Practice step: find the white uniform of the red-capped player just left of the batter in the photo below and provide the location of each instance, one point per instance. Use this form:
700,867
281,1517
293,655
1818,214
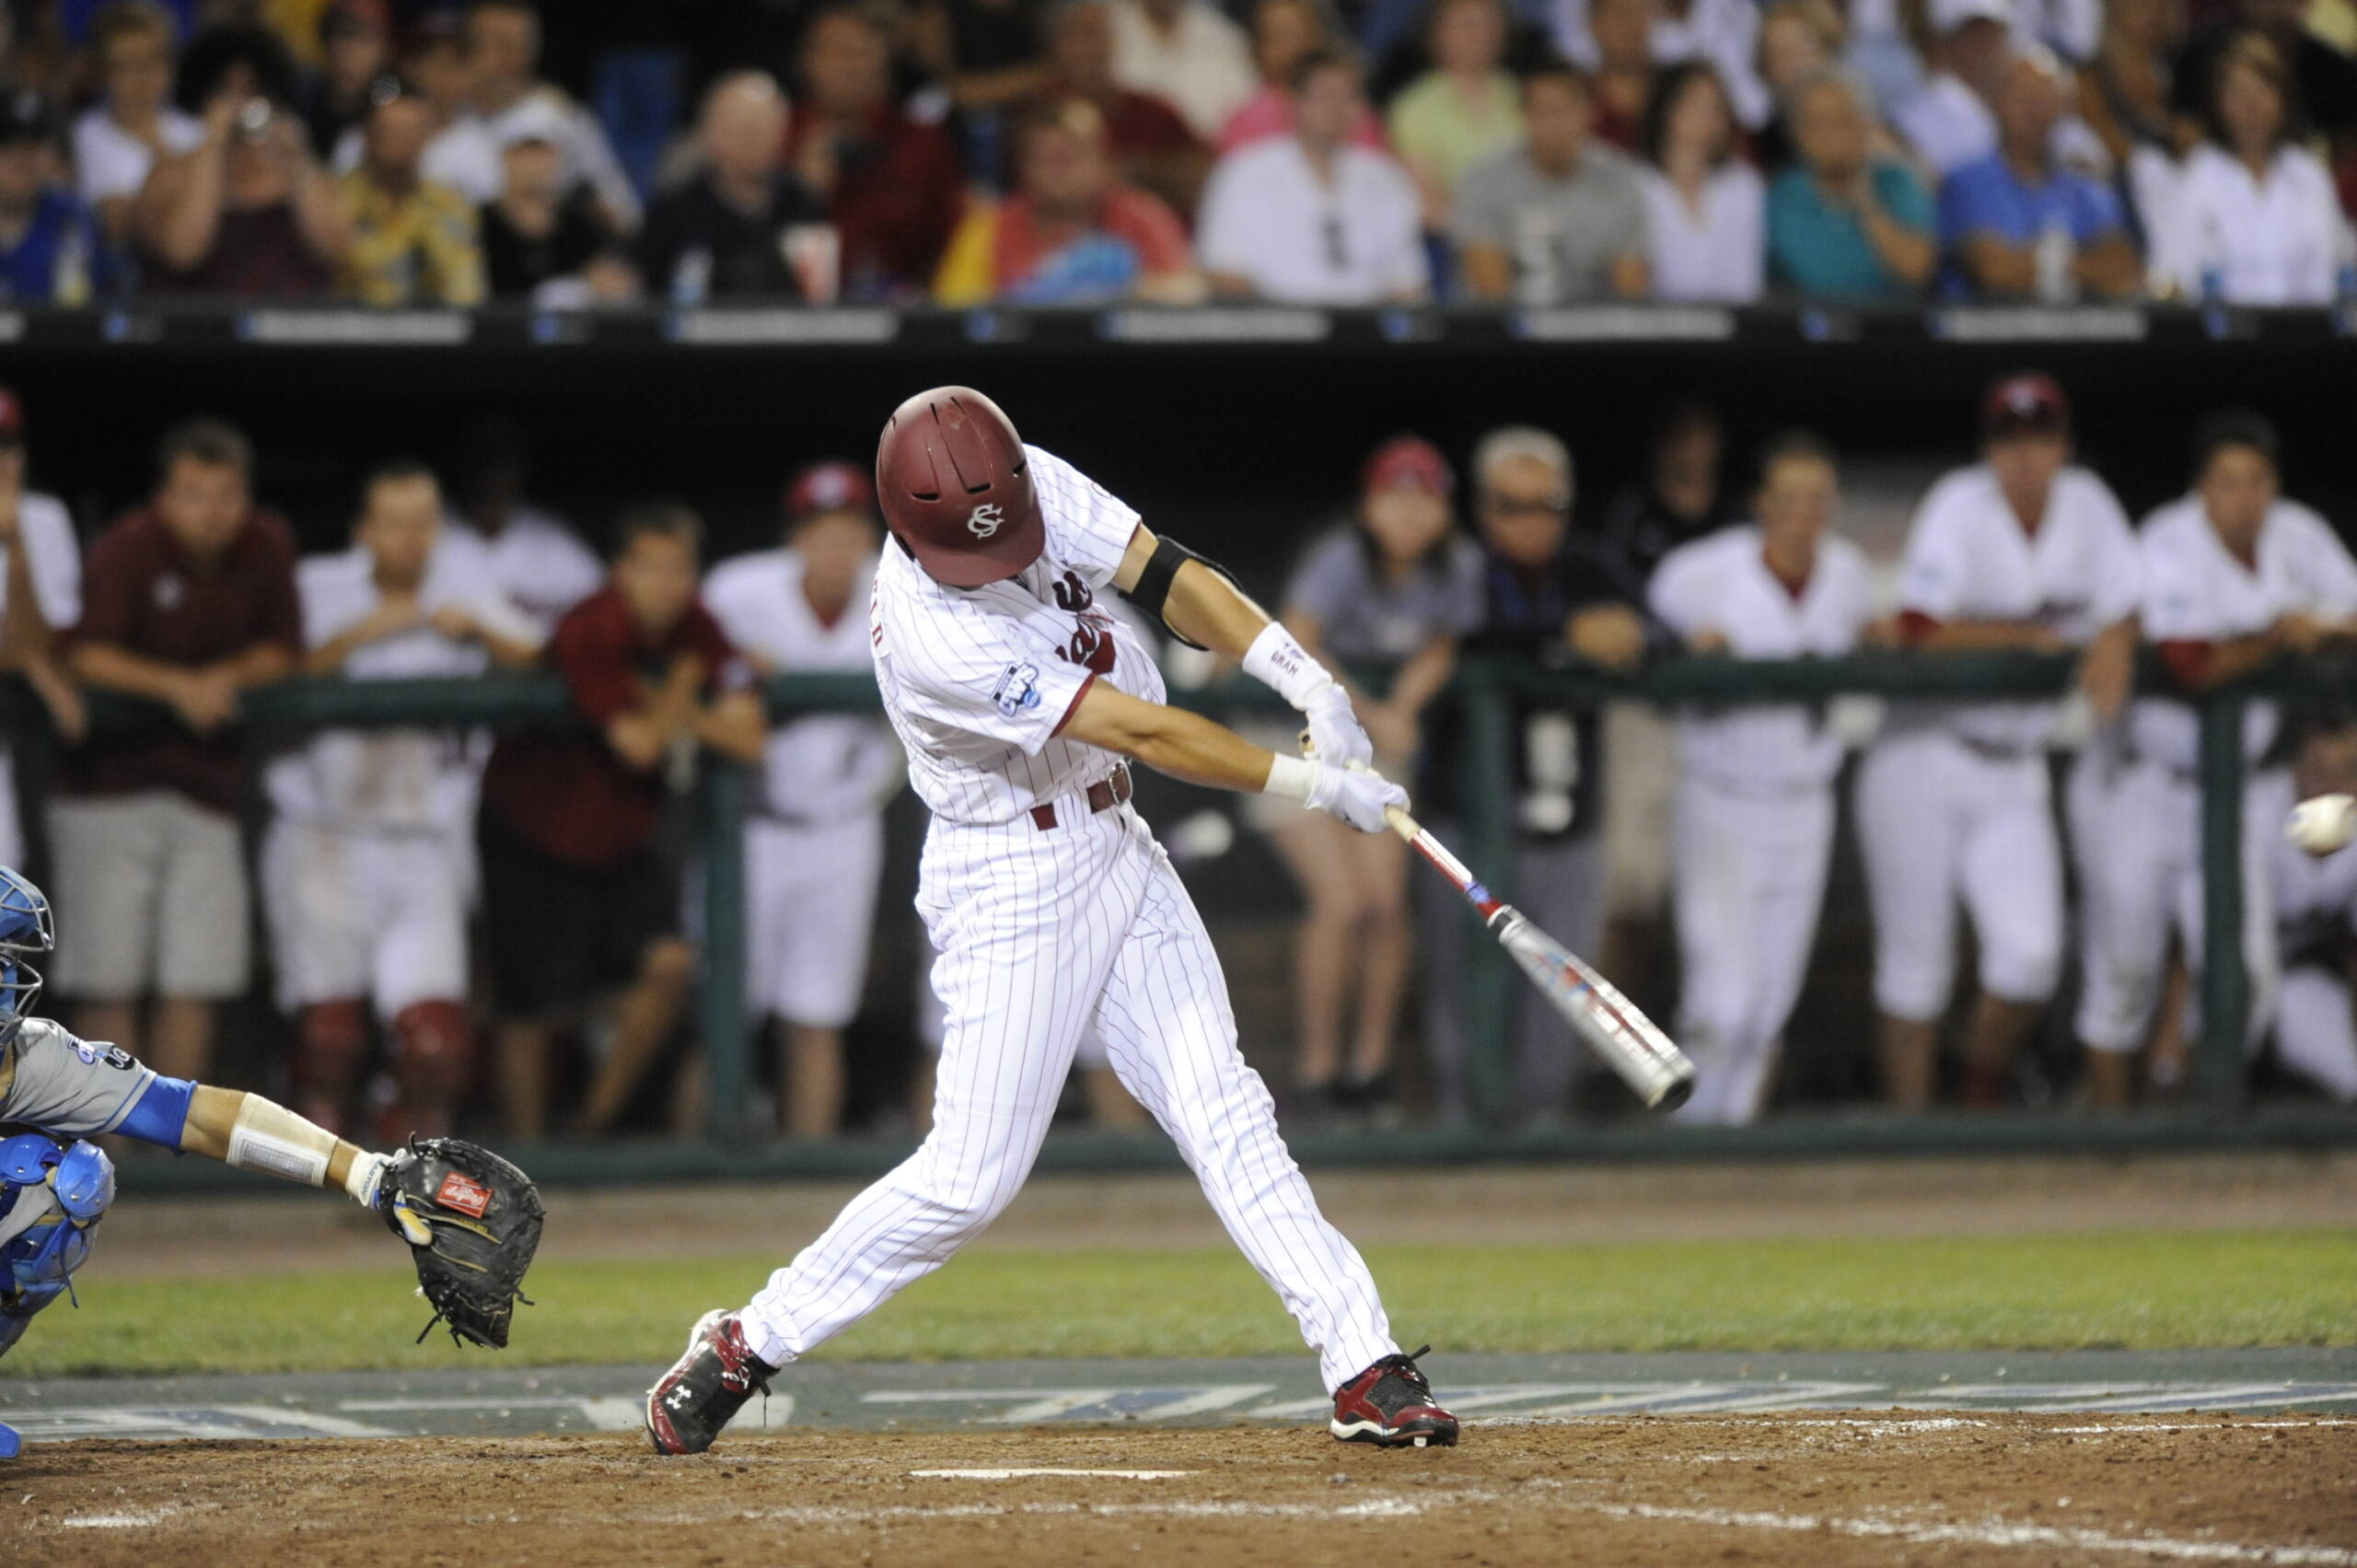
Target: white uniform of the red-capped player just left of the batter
814,845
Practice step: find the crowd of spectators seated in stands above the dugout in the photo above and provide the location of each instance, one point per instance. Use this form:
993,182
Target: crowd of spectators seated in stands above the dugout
1081,152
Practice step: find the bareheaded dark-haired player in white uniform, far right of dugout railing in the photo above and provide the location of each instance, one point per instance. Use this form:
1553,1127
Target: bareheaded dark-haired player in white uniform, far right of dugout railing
2233,579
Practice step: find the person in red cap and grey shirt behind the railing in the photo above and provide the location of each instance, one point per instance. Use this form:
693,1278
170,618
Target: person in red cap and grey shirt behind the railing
1394,588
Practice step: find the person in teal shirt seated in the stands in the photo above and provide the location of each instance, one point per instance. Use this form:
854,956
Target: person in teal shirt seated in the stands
1847,223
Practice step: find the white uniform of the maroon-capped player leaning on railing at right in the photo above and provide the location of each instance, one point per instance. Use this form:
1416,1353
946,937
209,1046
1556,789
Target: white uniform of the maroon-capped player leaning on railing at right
1953,801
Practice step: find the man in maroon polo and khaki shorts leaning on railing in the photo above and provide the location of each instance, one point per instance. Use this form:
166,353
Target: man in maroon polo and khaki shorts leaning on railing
185,602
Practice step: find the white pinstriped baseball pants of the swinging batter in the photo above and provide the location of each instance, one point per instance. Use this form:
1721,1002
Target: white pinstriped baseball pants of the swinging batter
1043,935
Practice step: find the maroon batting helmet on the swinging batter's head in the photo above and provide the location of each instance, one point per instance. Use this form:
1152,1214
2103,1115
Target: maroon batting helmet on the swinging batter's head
958,492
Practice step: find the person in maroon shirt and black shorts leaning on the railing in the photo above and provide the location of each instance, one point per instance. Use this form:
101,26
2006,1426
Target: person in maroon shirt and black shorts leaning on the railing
574,888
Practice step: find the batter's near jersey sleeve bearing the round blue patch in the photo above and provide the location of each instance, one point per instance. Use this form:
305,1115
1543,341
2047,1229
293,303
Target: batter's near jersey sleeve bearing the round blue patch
965,673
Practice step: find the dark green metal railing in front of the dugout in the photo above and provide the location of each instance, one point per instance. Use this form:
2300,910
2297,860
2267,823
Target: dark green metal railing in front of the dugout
1488,692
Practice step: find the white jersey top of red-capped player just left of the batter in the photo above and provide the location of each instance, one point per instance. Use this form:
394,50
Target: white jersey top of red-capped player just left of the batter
821,767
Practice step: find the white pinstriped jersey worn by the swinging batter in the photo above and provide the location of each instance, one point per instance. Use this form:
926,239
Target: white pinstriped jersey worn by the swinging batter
979,680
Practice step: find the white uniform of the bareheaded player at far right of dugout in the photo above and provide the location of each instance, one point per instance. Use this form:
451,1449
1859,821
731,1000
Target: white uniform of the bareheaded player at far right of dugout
2198,591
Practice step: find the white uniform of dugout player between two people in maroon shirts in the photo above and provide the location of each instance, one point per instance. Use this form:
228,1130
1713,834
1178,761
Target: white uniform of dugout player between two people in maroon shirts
364,890
